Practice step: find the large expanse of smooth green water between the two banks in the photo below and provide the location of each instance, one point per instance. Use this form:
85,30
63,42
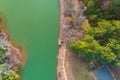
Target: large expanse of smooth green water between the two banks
35,24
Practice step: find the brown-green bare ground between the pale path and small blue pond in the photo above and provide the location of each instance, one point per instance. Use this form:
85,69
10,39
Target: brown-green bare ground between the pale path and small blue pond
77,68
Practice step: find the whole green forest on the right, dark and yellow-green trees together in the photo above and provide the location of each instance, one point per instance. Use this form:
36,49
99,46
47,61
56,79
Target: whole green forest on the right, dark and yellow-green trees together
101,40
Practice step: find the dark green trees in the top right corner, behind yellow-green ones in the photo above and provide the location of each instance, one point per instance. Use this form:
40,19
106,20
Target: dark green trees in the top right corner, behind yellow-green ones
102,9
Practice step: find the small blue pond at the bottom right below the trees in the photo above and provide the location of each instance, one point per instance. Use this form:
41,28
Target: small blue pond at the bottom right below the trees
103,74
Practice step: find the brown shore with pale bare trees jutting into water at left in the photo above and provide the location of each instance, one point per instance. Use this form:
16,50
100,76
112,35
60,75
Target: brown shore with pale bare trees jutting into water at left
10,58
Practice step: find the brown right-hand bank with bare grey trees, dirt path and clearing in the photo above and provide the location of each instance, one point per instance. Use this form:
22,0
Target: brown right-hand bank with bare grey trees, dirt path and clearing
69,31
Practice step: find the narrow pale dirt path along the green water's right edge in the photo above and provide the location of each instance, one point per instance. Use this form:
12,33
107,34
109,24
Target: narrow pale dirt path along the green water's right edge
61,71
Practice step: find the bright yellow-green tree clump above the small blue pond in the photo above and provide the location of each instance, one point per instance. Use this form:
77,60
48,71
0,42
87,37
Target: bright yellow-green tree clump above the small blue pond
100,42
